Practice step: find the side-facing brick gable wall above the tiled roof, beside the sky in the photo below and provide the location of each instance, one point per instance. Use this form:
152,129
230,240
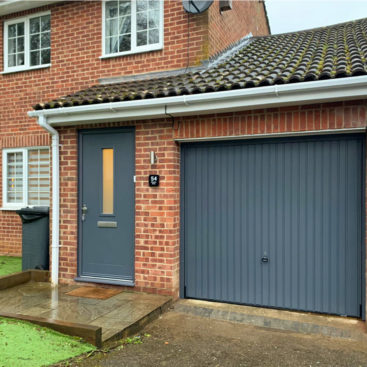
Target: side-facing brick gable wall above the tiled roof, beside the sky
230,26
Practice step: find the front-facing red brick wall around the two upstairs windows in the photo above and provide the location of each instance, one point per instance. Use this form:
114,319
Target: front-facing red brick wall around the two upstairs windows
76,39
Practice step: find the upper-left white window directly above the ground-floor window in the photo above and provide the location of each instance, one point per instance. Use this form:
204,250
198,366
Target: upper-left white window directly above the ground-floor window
27,42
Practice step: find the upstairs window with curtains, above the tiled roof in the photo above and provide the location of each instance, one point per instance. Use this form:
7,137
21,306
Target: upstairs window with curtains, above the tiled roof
132,26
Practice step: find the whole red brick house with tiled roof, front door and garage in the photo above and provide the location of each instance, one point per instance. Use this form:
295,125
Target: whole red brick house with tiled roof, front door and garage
229,170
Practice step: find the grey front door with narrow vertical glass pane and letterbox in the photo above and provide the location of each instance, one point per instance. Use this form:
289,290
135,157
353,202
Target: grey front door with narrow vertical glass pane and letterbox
106,206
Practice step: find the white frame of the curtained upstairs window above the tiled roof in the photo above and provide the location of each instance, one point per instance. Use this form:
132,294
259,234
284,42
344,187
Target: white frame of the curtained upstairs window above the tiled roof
134,49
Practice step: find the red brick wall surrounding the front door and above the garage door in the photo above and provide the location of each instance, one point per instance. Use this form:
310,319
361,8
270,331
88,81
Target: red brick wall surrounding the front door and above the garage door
157,209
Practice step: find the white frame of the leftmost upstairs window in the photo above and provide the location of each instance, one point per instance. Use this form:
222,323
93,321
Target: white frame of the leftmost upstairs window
26,66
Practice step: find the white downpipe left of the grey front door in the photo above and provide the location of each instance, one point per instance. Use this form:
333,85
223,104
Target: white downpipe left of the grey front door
55,246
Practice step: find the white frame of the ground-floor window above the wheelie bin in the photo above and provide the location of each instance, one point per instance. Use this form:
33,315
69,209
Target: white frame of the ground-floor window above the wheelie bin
24,151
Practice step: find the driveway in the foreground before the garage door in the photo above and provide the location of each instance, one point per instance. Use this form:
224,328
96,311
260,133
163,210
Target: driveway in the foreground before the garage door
182,340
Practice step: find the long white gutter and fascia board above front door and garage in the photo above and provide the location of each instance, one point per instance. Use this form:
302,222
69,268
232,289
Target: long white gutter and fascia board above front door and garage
208,103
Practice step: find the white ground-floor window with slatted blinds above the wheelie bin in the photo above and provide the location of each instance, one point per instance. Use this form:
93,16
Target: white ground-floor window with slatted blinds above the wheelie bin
26,177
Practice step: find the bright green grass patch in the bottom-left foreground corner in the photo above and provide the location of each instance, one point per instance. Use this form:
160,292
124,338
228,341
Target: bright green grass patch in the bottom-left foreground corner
26,345
